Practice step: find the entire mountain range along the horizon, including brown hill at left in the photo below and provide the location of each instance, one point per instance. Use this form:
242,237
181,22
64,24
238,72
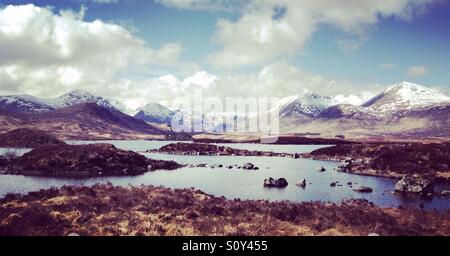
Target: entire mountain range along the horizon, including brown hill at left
404,109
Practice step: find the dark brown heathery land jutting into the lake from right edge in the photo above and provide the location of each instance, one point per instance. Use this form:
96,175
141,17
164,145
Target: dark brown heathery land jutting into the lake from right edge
390,160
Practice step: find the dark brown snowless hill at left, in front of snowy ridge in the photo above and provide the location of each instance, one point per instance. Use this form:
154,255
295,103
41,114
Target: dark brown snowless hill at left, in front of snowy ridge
83,121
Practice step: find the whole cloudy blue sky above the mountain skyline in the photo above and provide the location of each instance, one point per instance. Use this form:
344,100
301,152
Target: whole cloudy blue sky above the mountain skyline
142,51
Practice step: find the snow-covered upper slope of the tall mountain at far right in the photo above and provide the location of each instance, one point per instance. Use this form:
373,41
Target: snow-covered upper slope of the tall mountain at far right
405,96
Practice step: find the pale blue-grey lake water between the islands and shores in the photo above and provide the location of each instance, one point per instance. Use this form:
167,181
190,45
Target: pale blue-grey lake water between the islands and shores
243,184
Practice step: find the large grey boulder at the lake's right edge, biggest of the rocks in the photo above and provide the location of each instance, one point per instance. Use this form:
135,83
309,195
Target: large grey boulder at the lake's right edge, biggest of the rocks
415,184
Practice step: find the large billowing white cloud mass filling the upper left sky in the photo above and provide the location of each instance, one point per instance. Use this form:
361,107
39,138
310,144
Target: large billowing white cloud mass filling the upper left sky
46,53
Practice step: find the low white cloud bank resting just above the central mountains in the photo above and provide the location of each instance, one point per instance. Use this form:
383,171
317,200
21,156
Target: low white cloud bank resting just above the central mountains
279,79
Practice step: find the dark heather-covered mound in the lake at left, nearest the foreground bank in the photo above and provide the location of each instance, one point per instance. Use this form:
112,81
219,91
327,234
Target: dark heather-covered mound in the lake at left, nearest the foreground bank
81,161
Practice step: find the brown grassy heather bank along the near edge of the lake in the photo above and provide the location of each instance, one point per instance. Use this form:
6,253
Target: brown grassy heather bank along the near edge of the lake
155,211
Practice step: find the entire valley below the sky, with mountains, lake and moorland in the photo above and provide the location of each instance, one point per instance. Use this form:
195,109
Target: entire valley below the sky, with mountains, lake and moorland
385,159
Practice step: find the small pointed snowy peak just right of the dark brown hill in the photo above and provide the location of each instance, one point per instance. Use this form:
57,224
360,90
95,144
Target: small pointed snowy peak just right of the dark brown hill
156,113
